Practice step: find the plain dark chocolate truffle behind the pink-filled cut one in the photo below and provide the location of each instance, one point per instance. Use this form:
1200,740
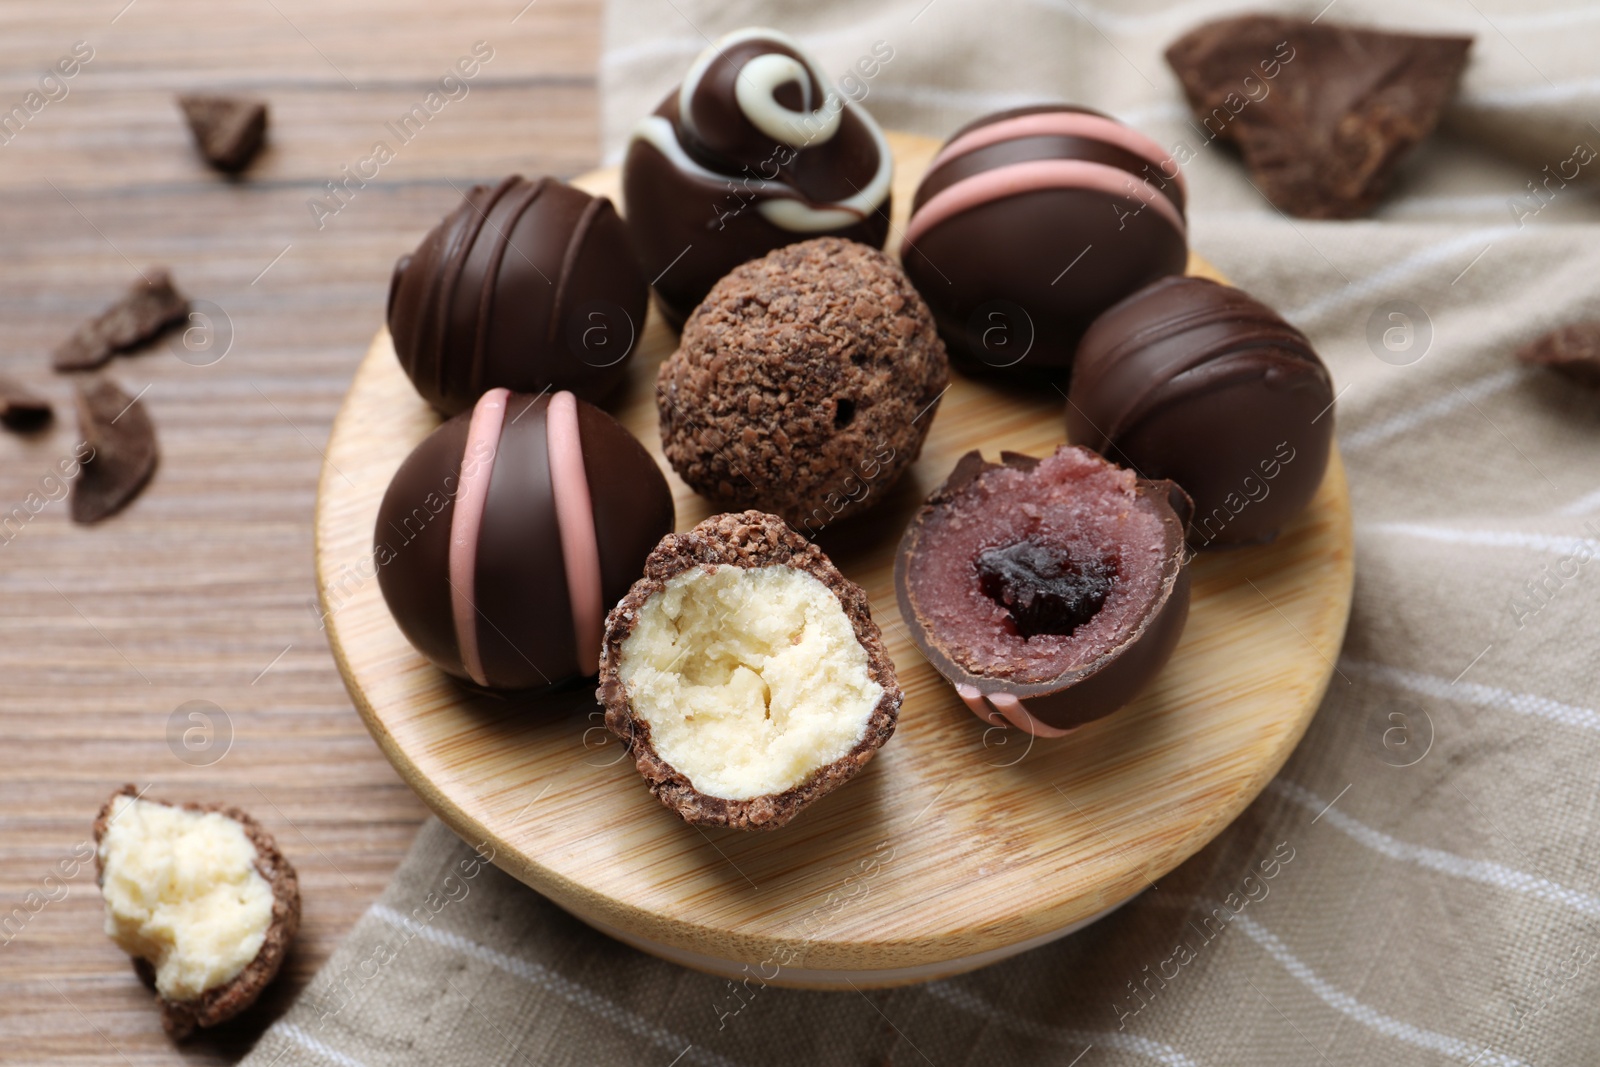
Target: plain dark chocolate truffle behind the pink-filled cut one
1199,383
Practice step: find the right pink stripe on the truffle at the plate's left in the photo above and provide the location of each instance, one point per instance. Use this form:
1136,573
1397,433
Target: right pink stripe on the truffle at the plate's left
577,524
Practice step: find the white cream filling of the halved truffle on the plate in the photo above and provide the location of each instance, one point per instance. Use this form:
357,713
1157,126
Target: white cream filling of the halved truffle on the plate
750,679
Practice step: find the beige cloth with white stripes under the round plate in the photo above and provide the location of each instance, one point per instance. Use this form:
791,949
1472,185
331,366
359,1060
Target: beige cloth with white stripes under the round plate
1434,845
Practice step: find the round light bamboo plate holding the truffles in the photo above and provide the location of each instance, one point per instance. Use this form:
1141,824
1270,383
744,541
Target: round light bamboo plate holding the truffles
959,845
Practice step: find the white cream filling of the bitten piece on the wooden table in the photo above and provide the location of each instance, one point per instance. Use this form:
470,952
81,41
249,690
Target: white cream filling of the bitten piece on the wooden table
183,892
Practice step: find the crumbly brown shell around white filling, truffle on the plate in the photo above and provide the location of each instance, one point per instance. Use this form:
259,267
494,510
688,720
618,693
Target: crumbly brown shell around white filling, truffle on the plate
750,540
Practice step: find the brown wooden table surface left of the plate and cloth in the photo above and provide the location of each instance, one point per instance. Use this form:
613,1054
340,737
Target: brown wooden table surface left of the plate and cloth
202,589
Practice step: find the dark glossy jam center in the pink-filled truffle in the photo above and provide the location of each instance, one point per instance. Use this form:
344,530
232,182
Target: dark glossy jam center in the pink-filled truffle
1044,589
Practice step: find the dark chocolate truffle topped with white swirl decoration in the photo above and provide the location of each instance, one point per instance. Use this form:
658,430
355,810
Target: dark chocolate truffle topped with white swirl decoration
753,151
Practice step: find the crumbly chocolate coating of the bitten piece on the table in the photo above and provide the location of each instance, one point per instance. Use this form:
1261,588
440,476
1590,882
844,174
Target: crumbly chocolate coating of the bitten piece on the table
180,1018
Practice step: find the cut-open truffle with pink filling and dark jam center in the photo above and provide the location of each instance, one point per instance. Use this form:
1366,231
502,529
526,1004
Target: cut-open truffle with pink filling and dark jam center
1054,589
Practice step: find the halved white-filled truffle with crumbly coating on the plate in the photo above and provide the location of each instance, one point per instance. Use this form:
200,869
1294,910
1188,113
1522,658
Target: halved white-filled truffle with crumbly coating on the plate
746,674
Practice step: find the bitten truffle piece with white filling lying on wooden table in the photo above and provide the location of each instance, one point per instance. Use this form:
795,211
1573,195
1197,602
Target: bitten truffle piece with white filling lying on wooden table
201,898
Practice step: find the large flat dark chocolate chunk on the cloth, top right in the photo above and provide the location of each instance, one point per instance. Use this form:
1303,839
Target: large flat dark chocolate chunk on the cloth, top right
1321,113
